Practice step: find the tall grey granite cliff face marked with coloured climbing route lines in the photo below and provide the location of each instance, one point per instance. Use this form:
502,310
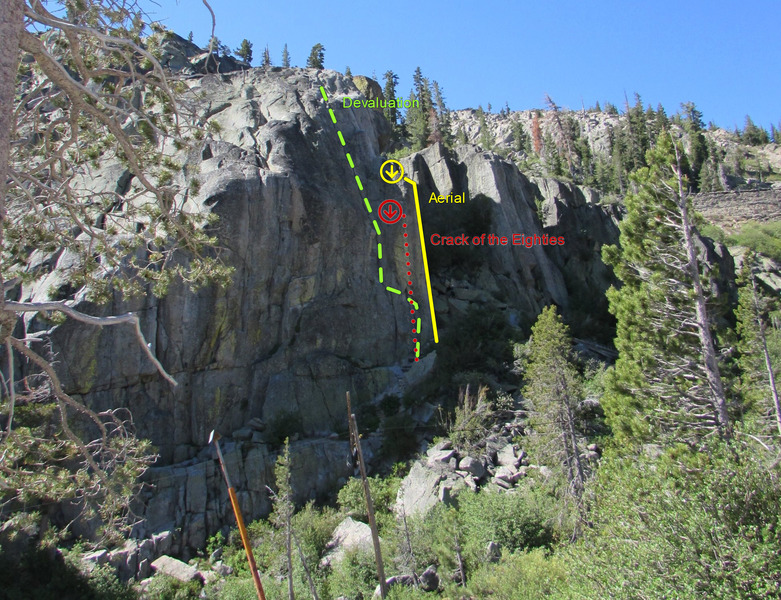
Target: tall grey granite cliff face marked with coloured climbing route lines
306,318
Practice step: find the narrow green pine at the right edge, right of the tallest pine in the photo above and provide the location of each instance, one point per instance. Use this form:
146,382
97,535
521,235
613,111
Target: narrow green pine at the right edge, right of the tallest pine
758,362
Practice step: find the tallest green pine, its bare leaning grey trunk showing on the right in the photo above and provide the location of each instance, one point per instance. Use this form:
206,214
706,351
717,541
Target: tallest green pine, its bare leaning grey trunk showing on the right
666,381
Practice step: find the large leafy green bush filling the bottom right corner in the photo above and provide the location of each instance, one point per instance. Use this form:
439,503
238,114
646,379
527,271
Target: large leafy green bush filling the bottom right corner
687,525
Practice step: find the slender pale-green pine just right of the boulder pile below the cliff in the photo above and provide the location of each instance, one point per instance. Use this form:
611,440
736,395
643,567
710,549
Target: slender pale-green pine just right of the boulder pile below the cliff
554,388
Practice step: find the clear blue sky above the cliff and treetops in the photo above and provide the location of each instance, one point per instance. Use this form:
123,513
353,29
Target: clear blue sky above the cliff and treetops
723,55
